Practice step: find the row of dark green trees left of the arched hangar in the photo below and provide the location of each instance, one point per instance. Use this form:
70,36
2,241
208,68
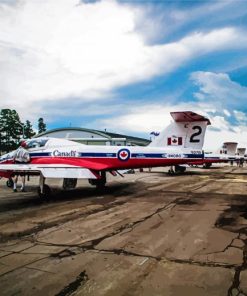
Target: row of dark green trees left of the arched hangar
12,130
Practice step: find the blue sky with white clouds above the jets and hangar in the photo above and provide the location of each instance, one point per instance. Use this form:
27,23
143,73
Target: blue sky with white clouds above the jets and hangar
124,65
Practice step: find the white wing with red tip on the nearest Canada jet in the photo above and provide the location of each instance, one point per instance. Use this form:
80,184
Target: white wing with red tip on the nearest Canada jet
49,170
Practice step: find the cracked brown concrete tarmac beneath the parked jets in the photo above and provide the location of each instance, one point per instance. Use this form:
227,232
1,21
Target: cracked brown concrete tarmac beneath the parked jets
147,234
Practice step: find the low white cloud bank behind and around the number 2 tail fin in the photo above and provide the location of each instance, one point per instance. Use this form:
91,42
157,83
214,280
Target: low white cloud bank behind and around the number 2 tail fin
213,90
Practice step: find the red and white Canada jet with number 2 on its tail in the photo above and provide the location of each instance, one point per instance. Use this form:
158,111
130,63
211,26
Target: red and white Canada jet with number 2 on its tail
61,158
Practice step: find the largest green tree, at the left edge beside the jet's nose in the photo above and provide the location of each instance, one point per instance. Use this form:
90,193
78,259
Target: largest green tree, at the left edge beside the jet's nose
11,130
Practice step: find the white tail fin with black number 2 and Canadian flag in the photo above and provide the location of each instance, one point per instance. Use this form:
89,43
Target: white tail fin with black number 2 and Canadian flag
187,131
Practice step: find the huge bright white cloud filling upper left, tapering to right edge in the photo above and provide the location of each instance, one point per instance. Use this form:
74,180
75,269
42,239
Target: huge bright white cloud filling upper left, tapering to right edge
51,50
